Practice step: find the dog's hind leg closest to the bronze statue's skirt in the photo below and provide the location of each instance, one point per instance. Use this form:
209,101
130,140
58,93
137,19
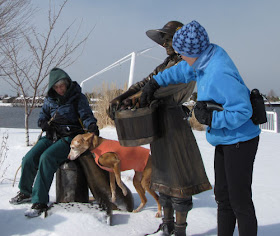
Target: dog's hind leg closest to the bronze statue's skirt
146,182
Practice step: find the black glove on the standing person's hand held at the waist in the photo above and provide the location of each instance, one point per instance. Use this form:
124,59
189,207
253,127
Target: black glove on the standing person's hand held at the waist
202,114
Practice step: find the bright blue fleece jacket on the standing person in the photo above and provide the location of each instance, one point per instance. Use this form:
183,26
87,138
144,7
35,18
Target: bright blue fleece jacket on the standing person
218,80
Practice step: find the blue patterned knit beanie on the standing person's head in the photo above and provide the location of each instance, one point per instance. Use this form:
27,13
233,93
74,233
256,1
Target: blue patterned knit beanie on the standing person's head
191,40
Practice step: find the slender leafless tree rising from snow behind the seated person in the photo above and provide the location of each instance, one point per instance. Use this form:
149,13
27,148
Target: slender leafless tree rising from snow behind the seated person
31,59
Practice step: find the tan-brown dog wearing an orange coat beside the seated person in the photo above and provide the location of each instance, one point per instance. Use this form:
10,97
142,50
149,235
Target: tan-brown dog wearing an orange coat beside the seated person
115,163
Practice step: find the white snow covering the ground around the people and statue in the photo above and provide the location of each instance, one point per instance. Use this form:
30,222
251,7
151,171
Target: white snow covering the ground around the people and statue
201,219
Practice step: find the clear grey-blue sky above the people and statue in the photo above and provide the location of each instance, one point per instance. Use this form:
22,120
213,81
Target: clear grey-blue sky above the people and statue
248,30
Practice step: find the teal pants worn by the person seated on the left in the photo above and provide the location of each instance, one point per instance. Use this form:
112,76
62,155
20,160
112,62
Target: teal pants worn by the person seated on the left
41,162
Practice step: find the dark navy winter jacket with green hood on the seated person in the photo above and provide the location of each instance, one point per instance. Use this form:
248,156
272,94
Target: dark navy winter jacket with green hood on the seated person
66,109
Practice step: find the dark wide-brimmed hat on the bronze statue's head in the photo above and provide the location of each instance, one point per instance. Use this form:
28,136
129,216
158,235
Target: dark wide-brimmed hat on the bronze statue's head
157,34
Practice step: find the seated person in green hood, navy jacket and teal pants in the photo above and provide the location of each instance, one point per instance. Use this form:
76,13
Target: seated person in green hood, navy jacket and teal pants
64,112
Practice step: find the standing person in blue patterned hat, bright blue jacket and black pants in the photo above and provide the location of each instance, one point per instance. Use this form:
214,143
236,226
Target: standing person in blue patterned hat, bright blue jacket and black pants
231,131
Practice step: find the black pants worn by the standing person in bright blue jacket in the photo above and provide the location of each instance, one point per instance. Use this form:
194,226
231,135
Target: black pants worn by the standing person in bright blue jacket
233,192
